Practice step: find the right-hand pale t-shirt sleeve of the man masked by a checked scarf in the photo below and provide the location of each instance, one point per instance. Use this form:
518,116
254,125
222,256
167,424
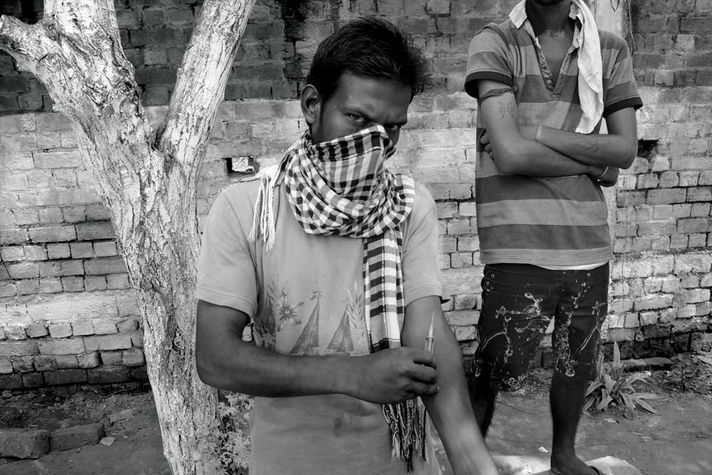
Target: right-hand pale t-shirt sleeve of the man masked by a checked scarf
421,267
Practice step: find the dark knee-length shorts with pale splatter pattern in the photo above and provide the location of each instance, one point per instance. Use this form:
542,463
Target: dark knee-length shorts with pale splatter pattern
518,303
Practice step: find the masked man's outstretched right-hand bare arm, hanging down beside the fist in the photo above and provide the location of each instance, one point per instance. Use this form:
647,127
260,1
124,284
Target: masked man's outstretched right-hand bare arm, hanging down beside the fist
450,408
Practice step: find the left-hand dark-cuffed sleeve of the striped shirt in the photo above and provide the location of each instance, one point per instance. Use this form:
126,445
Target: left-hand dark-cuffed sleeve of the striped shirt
487,58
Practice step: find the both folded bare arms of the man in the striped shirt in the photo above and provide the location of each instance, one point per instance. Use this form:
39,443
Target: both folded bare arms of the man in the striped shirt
547,152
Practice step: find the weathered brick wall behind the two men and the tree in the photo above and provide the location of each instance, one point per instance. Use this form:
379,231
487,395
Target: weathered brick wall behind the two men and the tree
67,314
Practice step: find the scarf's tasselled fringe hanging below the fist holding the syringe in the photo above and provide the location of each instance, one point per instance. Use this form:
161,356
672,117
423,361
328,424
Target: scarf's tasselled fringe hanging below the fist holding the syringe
406,421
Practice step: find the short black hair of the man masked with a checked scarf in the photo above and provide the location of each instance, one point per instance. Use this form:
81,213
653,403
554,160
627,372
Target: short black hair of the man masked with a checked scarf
368,47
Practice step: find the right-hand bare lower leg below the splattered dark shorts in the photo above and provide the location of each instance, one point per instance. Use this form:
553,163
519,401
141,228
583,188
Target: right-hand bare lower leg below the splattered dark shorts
566,400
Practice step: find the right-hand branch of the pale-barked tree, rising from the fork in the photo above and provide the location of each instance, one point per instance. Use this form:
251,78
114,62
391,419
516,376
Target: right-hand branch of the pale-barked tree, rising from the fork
200,86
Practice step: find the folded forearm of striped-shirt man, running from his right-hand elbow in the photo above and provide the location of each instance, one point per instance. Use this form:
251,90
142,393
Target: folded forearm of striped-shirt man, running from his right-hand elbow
592,149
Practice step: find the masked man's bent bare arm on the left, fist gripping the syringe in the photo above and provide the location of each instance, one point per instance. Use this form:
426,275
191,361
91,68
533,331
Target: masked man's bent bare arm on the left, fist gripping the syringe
226,362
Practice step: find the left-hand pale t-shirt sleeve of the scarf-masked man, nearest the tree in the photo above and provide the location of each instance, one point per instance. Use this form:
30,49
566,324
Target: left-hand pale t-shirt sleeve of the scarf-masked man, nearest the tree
226,272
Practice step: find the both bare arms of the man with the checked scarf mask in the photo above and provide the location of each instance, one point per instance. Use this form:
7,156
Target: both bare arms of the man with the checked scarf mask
225,361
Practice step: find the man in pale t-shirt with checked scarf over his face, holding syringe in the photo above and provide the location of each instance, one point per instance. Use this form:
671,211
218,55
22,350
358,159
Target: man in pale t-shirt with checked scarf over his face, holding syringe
333,259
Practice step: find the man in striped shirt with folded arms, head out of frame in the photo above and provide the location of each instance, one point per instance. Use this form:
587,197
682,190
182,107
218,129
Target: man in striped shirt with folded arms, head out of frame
544,79
